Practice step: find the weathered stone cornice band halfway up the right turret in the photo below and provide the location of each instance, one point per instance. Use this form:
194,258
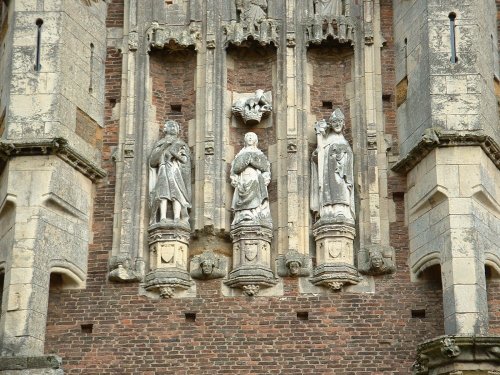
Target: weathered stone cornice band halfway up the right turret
434,138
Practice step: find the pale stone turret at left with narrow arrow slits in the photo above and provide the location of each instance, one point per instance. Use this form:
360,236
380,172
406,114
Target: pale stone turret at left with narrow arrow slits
52,79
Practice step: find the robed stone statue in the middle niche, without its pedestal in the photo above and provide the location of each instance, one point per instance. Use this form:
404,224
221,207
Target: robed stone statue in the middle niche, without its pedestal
250,175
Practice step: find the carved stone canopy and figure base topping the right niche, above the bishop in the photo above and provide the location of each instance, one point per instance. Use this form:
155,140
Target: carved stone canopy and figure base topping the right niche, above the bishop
331,20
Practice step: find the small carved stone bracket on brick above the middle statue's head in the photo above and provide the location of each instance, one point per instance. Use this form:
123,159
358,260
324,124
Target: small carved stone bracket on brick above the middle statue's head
251,110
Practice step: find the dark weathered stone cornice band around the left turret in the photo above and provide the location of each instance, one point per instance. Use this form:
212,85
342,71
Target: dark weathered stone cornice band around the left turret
53,146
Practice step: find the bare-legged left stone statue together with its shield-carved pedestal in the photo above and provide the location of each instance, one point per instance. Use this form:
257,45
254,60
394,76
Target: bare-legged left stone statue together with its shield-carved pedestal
169,201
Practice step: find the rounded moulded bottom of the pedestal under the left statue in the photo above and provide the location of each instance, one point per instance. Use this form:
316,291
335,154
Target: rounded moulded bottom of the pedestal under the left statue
166,281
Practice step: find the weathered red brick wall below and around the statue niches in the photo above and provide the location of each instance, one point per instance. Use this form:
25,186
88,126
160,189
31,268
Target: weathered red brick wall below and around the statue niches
346,333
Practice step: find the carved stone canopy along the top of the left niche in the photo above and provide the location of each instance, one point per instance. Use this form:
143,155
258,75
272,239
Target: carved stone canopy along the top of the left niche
160,36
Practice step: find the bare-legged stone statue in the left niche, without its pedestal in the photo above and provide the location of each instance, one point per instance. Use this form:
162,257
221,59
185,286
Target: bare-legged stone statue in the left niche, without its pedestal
170,177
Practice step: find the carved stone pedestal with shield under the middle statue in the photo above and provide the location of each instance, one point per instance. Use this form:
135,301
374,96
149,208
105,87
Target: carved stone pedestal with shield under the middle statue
251,259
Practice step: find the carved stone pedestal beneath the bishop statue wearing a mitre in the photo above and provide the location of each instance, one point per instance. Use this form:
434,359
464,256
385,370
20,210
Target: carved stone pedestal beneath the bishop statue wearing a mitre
334,255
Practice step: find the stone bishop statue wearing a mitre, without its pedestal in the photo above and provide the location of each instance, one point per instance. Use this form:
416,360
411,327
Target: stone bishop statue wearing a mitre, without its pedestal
332,193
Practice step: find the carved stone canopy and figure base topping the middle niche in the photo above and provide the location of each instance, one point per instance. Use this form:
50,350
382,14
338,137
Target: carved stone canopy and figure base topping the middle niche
253,23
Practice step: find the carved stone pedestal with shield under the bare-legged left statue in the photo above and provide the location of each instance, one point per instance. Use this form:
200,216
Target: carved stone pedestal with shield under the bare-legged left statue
168,249
